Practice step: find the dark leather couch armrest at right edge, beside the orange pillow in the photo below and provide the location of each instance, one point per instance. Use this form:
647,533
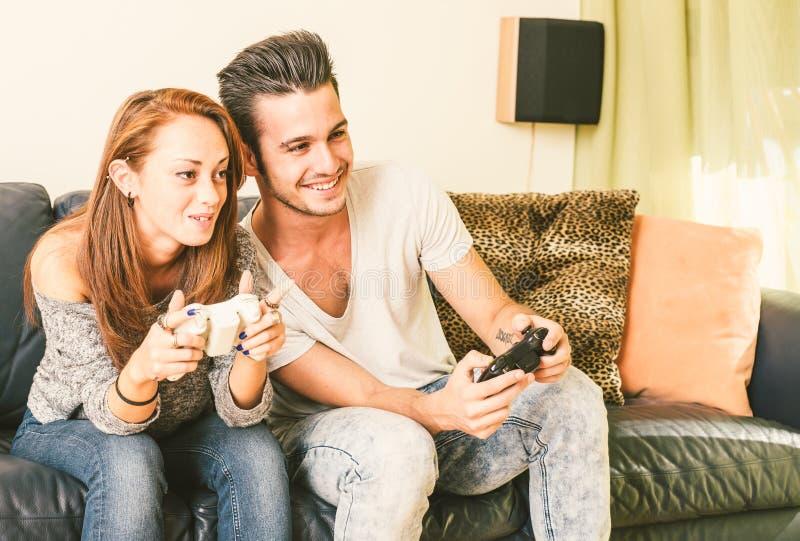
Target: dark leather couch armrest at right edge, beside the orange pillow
776,373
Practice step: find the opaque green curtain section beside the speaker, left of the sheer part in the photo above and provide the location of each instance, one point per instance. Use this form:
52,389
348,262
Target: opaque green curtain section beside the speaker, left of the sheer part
643,140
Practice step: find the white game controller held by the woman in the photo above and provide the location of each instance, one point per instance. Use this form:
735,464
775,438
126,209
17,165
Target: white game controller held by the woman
221,323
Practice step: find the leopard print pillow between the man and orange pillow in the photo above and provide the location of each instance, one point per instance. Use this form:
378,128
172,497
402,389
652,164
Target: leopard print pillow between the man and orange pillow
567,256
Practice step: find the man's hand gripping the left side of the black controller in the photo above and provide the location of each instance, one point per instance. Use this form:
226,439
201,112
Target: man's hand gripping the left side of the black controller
474,408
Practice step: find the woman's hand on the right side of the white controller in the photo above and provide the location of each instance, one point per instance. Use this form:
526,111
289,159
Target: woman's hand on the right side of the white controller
265,337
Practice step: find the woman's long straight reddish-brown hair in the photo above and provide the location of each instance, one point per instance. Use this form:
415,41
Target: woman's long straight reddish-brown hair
109,258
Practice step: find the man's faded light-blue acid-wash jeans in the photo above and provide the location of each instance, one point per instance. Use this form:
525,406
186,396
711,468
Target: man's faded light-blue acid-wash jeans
378,468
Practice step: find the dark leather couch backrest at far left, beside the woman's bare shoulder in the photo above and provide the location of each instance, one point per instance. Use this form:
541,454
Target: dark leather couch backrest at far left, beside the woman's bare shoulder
25,213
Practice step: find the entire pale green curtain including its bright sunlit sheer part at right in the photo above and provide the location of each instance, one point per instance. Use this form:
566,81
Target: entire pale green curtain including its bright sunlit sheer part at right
701,114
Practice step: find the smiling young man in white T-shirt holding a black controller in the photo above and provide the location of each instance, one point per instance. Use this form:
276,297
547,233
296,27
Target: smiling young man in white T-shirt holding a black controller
370,406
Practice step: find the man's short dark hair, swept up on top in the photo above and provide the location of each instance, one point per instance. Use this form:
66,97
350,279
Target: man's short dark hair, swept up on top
279,65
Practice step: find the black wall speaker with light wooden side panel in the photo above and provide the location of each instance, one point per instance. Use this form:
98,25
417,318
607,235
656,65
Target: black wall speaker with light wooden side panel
550,70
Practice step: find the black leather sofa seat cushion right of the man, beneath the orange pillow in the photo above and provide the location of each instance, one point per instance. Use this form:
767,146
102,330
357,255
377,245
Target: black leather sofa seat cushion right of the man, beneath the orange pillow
676,461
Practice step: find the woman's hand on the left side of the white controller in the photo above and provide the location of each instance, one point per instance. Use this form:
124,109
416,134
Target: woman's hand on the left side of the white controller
165,353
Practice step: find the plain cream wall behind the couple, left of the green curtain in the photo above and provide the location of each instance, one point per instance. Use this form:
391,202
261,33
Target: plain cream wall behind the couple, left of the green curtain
417,79
